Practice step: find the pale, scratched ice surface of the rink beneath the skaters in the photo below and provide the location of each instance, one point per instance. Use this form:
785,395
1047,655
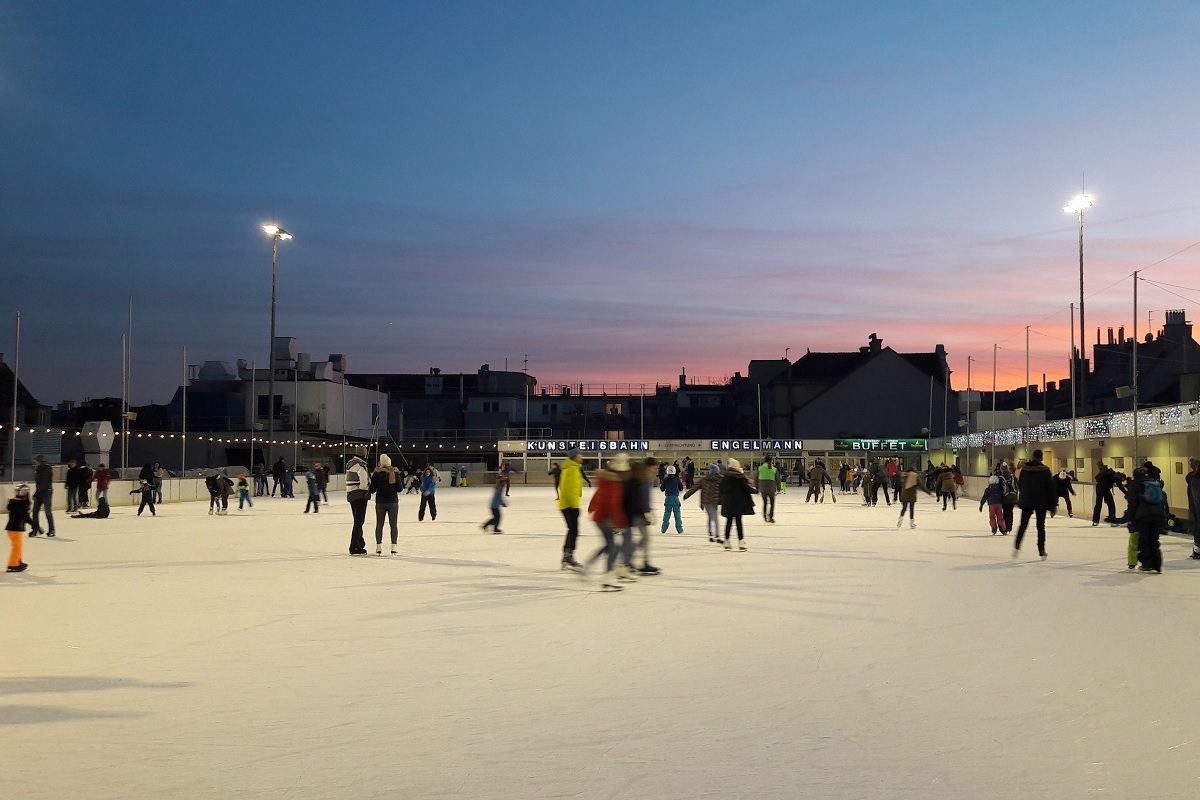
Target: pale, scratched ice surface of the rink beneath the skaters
249,657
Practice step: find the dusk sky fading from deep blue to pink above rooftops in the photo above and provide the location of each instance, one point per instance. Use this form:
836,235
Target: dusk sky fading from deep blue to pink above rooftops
613,190
